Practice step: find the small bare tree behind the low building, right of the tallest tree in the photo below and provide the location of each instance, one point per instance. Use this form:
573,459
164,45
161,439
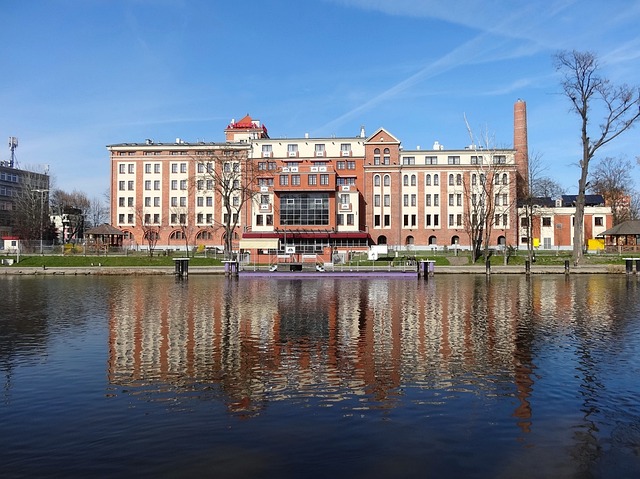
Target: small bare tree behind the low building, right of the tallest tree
611,178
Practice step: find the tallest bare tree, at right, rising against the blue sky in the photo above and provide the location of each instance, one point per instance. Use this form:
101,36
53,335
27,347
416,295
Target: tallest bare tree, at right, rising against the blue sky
590,94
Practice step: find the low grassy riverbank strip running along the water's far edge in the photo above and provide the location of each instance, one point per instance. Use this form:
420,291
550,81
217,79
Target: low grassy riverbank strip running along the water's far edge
337,271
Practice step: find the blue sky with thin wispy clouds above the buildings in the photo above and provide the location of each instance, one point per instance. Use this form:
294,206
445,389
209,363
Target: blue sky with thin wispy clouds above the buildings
80,74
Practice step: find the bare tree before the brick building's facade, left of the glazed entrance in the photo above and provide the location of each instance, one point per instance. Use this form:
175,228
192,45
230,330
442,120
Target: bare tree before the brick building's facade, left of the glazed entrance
233,177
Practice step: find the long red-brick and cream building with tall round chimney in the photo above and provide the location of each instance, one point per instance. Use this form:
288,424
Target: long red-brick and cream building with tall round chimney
315,198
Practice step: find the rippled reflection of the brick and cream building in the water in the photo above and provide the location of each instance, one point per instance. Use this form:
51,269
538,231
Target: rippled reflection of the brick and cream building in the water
252,342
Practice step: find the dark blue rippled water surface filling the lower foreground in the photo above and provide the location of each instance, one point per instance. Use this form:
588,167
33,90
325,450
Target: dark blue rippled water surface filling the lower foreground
458,376
